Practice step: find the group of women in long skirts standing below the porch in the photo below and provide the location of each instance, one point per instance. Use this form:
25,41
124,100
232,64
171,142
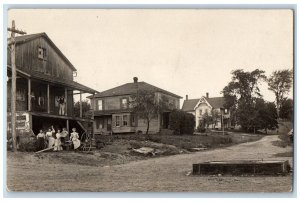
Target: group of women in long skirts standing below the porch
57,141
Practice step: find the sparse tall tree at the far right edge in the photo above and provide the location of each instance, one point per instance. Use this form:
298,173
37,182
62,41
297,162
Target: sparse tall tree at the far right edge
280,82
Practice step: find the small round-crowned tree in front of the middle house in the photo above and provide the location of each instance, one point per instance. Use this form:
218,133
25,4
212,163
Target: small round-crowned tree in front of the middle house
147,106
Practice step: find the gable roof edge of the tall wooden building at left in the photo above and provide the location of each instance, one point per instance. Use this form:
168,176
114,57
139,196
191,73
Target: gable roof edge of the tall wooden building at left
30,37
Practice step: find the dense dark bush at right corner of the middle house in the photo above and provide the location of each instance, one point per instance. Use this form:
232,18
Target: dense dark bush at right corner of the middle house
182,122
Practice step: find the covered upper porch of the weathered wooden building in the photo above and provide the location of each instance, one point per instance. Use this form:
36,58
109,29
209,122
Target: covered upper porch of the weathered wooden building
35,93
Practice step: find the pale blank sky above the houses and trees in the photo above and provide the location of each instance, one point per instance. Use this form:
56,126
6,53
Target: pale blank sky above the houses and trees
185,51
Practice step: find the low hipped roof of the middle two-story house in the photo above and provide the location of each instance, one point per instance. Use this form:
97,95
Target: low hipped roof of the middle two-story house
131,88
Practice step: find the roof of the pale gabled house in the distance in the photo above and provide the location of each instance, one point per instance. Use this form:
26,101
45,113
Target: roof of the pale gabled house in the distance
215,102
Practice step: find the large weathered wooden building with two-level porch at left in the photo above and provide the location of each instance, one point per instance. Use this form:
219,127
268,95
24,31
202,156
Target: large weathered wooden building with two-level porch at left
45,83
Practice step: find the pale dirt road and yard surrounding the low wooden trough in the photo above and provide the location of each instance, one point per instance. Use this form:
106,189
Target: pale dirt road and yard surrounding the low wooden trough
164,174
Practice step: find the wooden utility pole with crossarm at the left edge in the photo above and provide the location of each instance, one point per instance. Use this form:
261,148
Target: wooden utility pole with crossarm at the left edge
11,44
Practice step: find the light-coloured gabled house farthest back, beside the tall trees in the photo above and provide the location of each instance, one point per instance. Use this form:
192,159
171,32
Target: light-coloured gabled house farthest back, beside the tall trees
205,106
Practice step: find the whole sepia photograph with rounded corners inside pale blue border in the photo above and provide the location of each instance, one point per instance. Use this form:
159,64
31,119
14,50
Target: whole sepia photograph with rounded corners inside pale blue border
188,100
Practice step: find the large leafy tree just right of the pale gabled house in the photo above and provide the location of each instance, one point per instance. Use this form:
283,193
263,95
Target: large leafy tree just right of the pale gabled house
240,94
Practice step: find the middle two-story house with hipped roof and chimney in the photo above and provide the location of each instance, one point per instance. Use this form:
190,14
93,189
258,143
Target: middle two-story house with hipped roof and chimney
114,114
